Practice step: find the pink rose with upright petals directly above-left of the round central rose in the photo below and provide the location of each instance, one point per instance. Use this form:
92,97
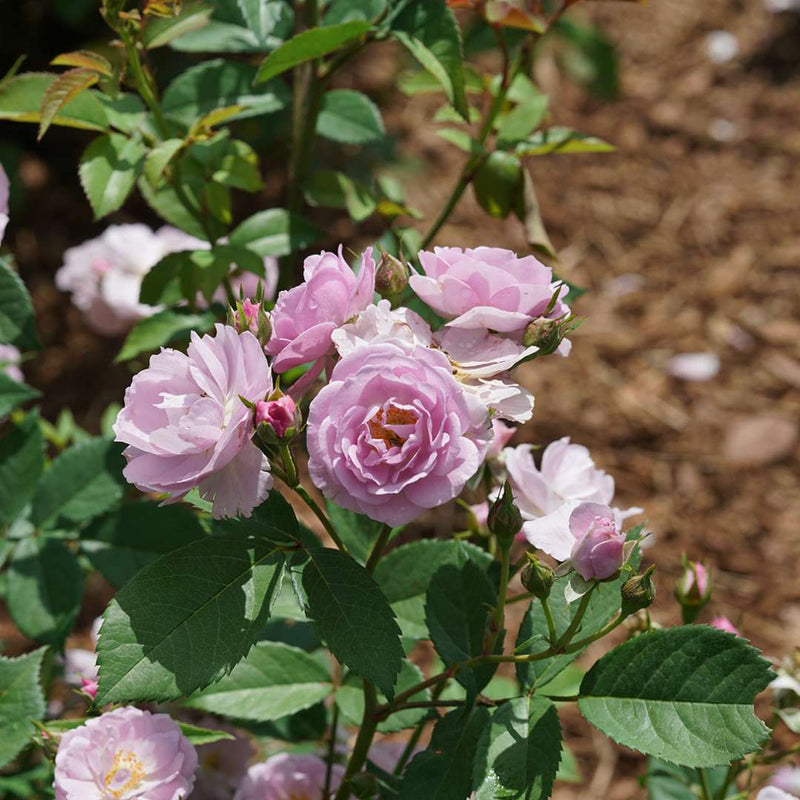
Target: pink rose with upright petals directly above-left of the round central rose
305,317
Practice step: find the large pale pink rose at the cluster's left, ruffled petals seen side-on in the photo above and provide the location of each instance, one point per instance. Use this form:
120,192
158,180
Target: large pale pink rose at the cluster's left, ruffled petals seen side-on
186,425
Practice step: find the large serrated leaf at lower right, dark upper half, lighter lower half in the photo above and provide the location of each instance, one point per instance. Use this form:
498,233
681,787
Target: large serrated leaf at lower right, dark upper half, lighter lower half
684,695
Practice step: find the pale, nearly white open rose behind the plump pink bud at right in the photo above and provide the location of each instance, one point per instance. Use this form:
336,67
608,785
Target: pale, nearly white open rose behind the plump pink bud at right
548,495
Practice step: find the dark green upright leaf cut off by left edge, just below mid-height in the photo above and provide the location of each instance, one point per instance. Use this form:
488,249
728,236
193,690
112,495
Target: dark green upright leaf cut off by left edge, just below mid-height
21,463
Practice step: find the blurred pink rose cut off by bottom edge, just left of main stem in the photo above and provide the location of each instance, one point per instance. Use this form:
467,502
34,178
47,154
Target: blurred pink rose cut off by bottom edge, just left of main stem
288,777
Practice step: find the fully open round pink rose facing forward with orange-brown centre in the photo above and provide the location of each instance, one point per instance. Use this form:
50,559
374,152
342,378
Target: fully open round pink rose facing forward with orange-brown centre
393,433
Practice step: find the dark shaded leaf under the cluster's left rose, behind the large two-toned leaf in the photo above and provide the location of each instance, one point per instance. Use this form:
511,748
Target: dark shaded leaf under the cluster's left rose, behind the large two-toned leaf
132,536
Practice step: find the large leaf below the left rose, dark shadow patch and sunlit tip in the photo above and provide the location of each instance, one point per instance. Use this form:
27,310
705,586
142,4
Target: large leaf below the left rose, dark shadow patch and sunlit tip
187,619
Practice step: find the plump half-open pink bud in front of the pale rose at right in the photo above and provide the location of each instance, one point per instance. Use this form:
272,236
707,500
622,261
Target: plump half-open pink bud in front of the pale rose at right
597,552
